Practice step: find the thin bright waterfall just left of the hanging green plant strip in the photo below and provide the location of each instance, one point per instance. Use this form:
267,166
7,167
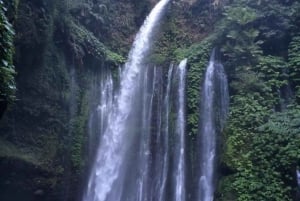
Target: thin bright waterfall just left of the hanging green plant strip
180,134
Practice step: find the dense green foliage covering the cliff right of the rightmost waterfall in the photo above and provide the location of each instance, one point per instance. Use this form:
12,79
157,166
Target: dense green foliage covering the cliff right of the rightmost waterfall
261,145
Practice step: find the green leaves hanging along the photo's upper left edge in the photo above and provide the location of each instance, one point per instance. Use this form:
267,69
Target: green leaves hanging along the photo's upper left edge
7,72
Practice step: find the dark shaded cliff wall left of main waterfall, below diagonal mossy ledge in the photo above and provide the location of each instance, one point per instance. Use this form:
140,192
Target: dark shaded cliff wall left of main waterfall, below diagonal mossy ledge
43,134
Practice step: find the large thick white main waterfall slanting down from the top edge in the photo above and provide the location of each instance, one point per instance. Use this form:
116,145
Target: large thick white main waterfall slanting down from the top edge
106,181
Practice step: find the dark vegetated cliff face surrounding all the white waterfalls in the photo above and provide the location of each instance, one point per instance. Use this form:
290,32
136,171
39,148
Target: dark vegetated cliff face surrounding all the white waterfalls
63,46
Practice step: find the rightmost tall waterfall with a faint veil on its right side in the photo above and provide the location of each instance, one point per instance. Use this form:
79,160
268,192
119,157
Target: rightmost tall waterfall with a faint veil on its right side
214,109
